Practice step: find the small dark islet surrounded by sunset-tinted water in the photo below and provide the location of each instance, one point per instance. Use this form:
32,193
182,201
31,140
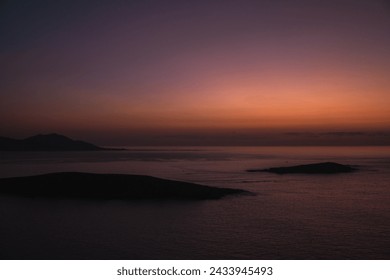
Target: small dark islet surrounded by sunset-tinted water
313,168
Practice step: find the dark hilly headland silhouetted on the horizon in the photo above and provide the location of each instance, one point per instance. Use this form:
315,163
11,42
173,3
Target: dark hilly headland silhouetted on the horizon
48,142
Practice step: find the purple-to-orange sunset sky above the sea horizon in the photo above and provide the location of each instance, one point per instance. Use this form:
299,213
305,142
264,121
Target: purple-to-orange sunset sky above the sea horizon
245,72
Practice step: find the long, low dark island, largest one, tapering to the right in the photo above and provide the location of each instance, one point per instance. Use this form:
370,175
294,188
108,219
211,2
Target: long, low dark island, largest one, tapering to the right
109,186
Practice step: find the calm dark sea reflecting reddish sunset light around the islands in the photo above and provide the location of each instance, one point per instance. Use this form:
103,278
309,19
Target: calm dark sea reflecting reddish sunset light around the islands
343,216
